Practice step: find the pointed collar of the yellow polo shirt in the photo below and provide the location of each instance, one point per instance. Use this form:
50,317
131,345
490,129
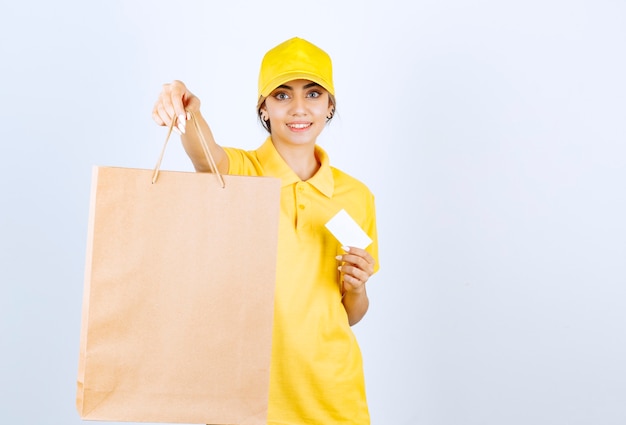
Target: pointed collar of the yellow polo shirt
322,180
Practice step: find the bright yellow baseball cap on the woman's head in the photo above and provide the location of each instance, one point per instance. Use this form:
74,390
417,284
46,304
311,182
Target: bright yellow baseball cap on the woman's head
292,60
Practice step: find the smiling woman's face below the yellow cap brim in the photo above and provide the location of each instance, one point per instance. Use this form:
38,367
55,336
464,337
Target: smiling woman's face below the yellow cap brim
297,111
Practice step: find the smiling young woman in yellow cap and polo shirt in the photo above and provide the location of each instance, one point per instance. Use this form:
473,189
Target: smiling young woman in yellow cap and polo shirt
316,374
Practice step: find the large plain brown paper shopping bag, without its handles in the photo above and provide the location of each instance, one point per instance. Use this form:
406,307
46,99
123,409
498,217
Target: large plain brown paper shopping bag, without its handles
178,298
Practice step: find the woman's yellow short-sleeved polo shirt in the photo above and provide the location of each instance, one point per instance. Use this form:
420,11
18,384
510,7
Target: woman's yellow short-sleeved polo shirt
316,370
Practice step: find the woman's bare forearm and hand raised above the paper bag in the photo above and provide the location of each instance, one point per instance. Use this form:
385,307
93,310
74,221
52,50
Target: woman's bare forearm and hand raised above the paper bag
176,100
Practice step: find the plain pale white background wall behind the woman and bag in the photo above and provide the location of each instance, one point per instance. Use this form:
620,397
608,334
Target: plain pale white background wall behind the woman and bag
492,133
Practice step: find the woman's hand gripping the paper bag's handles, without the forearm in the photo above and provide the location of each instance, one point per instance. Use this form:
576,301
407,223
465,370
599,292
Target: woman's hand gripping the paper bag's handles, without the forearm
174,101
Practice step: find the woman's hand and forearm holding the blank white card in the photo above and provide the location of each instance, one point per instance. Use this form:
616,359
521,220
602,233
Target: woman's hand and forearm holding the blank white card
357,267
